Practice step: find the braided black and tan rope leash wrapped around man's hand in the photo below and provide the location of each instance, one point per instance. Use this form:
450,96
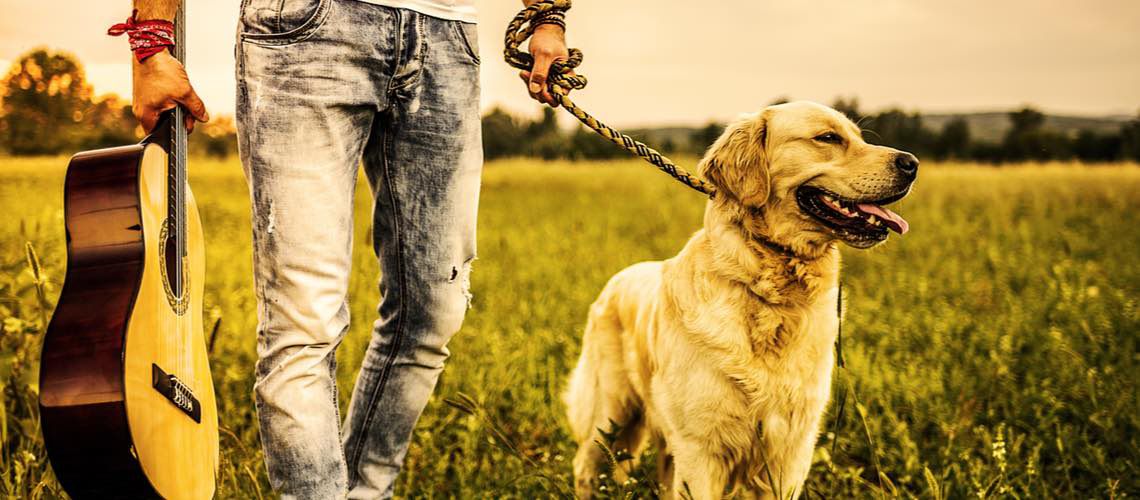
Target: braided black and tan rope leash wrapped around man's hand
563,80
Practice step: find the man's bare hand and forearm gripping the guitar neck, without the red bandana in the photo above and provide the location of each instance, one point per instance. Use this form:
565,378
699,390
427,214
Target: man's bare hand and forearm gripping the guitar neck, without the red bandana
160,83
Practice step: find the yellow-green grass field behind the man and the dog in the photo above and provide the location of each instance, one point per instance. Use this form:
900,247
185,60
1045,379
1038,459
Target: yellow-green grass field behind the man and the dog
995,351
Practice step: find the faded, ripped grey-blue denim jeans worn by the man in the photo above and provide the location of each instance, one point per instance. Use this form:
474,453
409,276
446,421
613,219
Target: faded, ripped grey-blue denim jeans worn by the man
324,87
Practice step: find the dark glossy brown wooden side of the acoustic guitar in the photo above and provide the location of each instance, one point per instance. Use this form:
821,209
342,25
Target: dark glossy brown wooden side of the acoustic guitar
83,401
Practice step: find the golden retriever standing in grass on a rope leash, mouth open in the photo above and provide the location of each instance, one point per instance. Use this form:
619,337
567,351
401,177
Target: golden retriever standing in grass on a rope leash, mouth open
722,356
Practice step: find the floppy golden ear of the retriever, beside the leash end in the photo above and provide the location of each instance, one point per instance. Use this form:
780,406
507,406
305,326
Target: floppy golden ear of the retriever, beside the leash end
738,163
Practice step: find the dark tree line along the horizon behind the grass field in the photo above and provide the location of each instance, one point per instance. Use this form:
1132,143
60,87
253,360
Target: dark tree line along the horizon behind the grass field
47,108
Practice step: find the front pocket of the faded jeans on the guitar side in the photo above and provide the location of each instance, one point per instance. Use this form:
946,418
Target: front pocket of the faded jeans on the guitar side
281,22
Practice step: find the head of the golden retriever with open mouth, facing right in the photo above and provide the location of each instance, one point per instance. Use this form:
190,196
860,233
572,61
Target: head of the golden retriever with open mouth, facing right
802,176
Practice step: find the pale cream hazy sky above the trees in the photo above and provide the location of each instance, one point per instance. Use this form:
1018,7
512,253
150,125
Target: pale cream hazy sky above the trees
687,63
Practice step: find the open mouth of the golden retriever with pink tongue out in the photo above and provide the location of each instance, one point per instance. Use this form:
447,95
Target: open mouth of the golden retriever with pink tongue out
859,224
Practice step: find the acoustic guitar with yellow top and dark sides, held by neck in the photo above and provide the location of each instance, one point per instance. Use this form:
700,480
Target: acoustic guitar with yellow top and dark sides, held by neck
127,404
